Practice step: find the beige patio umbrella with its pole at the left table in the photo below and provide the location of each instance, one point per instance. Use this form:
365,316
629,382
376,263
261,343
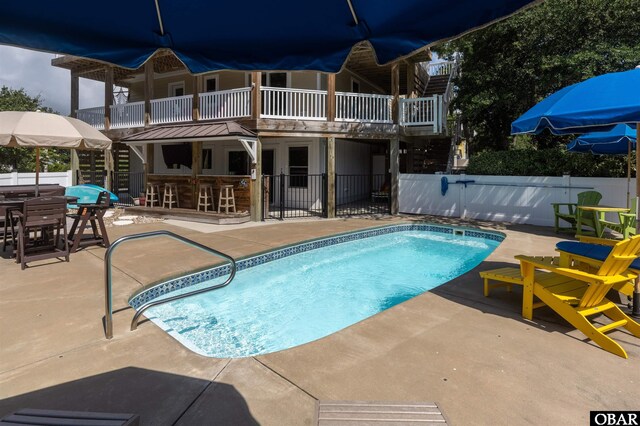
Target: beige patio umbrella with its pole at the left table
41,129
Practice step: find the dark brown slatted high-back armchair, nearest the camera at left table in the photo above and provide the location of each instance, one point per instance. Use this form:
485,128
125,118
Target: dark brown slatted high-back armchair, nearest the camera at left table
38,221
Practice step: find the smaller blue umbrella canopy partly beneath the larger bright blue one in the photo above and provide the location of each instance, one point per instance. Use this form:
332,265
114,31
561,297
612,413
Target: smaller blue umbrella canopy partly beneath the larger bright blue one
615,141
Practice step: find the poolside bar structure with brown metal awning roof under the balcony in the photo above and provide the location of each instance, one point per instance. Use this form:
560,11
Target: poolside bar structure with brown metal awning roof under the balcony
182,155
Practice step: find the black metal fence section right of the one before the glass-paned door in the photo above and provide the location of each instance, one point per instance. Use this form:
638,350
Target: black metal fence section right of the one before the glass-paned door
362,194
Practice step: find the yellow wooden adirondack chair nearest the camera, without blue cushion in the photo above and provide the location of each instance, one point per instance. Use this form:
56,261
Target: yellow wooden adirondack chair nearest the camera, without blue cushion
577,295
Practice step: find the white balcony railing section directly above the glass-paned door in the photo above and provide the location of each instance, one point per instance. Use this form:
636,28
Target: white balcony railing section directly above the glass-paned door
293,104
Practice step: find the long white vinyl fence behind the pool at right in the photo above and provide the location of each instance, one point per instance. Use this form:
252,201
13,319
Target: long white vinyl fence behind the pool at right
516,199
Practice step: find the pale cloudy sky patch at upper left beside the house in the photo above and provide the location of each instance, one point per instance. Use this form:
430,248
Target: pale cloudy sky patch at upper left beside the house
32,71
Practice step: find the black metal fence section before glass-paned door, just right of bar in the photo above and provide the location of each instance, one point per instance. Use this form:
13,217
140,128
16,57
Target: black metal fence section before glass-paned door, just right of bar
290,196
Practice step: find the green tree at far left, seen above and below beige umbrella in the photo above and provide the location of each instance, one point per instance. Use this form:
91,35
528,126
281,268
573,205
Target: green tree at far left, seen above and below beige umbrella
23,159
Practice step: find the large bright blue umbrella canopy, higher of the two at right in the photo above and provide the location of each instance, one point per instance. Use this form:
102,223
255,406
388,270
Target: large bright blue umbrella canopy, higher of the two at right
593,105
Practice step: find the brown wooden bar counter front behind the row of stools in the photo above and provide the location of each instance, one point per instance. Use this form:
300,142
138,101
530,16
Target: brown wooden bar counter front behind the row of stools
188,188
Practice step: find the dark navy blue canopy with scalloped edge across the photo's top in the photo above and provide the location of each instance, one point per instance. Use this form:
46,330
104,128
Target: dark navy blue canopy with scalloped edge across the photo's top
242,35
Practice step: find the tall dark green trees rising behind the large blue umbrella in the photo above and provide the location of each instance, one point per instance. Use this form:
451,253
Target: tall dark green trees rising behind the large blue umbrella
510,66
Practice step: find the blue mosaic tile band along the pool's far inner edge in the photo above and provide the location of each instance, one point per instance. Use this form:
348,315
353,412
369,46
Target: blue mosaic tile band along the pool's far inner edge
159,290
